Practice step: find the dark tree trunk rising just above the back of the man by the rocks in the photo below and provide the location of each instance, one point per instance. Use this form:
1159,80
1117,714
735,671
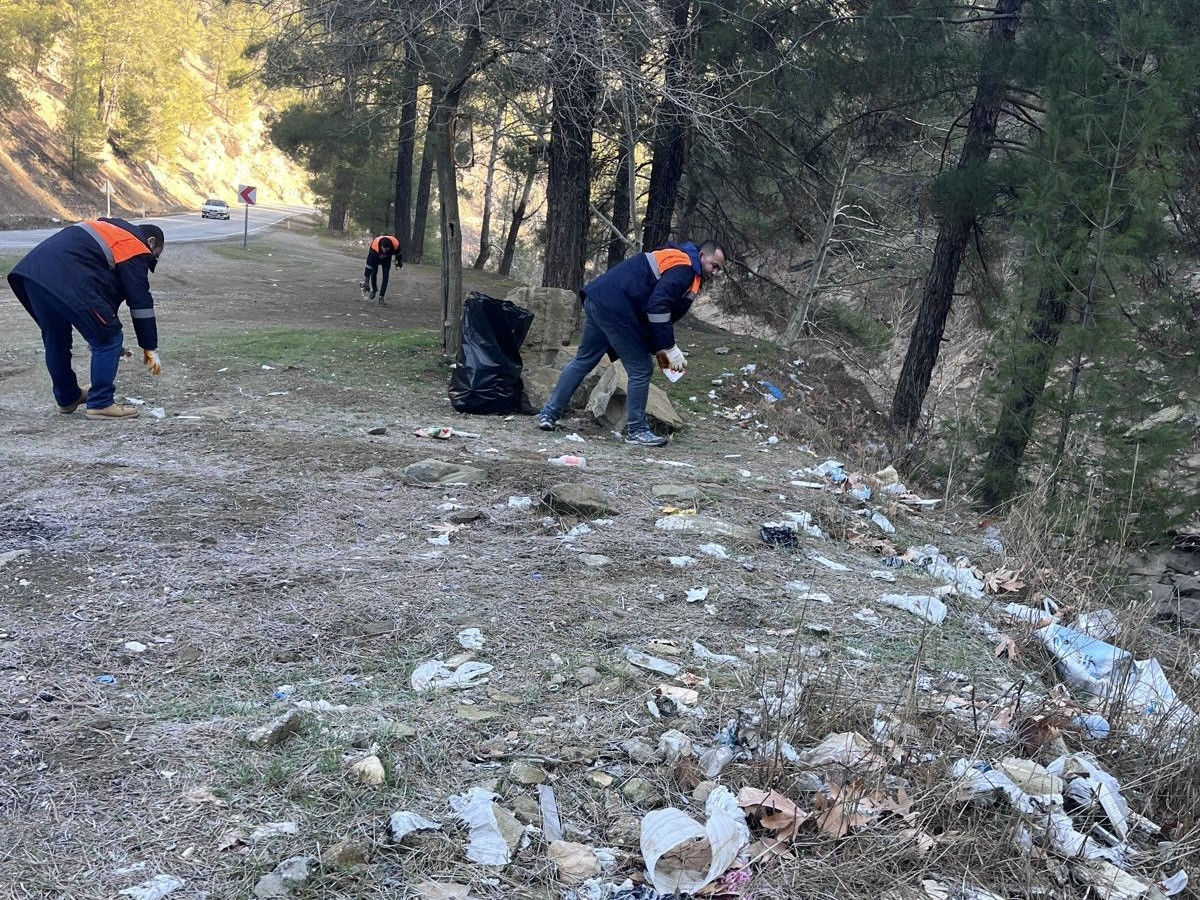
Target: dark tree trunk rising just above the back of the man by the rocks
670,153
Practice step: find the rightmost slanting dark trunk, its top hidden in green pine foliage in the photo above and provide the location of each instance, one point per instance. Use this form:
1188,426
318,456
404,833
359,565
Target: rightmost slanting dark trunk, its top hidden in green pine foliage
1023,395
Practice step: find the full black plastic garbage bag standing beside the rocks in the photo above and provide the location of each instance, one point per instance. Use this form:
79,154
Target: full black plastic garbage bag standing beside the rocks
487,379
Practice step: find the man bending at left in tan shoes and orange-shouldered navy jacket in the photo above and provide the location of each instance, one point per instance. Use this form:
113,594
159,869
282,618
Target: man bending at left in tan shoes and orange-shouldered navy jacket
79,279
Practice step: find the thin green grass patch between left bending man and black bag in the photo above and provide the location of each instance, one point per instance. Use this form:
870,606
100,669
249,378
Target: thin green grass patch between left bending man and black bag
379,357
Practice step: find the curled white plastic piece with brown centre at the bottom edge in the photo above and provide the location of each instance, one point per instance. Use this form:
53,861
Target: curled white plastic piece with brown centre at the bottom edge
683,856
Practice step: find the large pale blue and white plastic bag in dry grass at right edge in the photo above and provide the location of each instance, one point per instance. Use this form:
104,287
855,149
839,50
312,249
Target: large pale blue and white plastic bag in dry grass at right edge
1105,671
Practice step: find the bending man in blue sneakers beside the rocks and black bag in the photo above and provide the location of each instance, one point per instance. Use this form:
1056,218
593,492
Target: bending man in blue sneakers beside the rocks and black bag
629,313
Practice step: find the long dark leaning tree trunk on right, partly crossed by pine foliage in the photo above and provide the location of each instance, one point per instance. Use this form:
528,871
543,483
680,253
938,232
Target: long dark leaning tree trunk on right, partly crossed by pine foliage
956,227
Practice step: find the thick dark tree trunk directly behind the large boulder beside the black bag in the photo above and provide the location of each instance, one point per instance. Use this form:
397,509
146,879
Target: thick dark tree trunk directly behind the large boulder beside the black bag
569,177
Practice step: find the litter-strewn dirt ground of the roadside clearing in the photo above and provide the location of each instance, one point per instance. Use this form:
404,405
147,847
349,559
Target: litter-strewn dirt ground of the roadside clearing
196,575
